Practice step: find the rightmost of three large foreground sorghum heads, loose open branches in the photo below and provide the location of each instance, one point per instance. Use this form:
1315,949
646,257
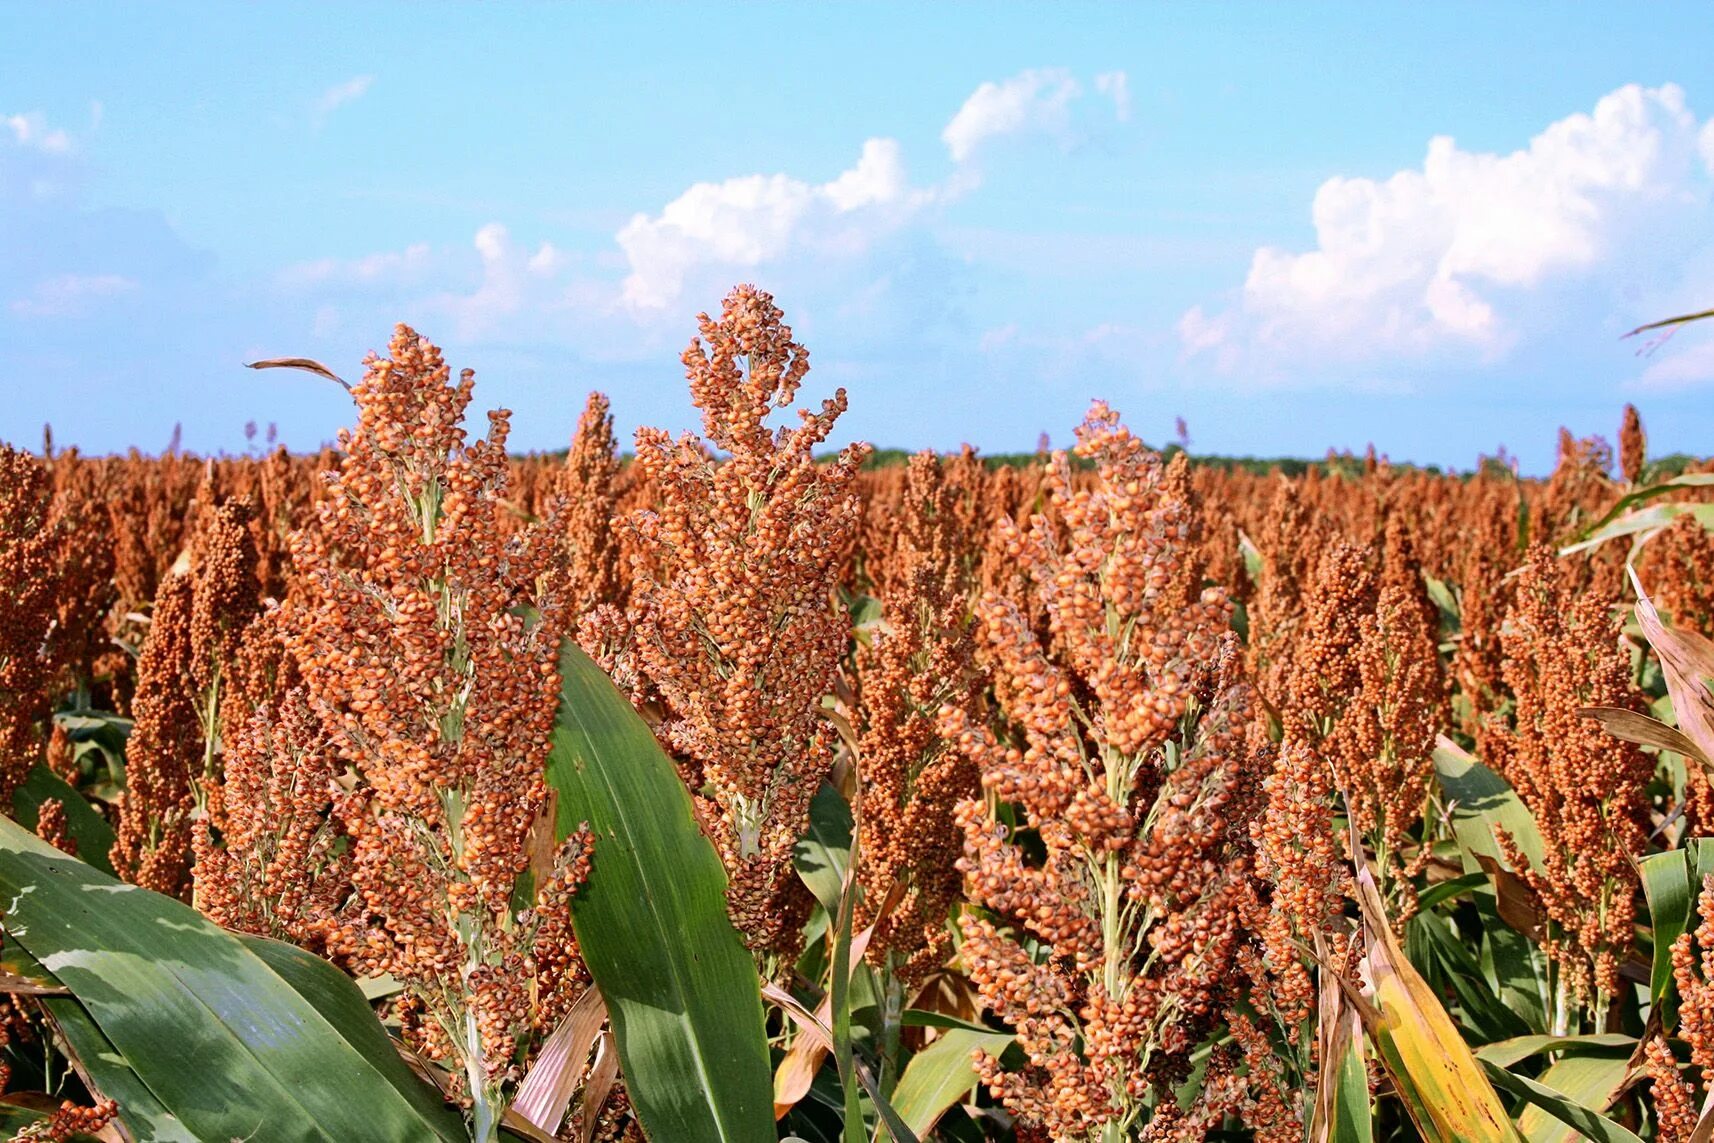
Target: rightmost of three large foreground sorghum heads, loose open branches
1124,757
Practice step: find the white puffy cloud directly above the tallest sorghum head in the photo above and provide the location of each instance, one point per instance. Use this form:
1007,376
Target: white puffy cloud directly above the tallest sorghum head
741,224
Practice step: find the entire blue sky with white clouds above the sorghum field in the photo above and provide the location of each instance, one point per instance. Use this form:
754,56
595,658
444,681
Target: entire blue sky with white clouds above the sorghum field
1297,227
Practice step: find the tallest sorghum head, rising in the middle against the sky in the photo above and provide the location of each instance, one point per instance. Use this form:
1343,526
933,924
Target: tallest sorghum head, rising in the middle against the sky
733,614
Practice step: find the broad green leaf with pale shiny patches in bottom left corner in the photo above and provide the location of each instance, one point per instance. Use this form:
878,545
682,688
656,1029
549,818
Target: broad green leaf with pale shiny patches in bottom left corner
219,1039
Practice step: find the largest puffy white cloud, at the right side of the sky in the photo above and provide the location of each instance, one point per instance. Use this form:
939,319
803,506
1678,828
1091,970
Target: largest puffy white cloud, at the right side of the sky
1454,254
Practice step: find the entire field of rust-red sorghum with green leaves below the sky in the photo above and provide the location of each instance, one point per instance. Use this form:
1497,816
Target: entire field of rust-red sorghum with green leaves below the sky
724,789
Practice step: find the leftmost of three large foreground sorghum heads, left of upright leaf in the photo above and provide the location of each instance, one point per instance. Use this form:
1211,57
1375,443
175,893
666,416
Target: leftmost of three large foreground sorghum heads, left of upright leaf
429,657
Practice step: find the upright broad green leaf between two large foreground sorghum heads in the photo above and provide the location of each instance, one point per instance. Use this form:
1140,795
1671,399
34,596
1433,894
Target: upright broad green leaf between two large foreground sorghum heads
652,925
